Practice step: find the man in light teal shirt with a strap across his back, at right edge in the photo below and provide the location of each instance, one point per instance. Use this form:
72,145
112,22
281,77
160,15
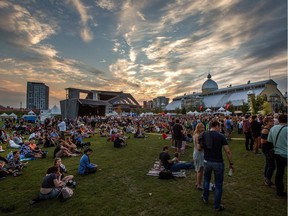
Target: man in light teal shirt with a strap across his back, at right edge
278,136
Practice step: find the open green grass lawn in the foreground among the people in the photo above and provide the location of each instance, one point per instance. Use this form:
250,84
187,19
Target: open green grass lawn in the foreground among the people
122,187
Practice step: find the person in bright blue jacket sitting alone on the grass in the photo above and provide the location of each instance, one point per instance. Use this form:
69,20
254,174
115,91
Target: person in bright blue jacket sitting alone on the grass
85,167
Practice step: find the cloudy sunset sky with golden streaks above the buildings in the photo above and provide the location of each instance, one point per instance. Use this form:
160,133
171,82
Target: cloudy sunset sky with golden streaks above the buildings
147,48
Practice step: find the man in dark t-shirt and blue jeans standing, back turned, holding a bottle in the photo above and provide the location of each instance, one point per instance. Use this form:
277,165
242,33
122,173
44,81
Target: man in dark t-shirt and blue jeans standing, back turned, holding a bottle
212,142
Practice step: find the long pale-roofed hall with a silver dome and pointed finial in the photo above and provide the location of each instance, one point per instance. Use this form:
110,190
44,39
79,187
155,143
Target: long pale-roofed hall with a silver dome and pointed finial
214,98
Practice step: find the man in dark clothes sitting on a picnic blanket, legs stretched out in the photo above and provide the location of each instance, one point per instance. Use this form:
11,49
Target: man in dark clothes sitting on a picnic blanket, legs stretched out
169,164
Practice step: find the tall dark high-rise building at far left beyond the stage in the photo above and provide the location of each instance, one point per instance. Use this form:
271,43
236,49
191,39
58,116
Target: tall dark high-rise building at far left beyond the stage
37,96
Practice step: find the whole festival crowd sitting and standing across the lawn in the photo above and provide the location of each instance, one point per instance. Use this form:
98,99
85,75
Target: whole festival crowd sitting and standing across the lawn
208,133
